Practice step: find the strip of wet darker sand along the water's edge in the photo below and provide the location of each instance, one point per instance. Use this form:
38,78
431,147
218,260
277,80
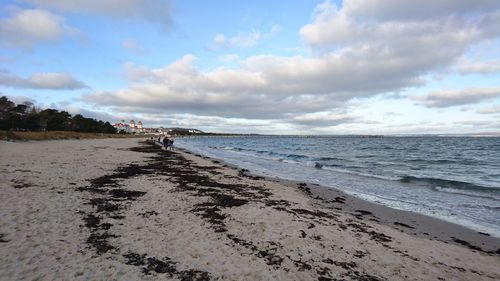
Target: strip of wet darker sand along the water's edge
420,225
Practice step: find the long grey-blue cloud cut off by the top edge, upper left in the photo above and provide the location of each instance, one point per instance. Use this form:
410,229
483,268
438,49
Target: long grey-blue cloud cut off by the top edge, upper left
156,11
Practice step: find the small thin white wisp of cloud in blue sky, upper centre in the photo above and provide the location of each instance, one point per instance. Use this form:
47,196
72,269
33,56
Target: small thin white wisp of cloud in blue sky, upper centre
245,40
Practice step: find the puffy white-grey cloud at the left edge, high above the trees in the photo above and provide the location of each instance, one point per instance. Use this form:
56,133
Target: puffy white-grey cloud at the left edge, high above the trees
26,28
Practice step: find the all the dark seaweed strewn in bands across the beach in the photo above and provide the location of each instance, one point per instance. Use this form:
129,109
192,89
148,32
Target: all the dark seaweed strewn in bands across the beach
110,199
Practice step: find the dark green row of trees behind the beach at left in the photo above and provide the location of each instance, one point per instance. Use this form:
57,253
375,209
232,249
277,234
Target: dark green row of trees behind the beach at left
27,117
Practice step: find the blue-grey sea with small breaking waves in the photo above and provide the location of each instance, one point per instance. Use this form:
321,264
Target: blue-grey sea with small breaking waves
452,178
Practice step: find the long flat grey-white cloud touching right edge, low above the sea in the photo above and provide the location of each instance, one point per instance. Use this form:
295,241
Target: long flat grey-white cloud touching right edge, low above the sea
458,97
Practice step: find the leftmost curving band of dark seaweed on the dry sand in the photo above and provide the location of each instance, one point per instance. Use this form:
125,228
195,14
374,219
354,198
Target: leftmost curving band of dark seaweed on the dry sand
108,201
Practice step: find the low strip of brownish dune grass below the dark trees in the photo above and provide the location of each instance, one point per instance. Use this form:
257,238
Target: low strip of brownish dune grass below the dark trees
59,135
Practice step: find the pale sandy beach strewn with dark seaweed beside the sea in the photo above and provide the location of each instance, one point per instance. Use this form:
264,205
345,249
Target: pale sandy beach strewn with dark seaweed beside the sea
123,209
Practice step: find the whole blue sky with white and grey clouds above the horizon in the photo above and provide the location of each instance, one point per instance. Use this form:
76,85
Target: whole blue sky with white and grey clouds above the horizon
269,67
